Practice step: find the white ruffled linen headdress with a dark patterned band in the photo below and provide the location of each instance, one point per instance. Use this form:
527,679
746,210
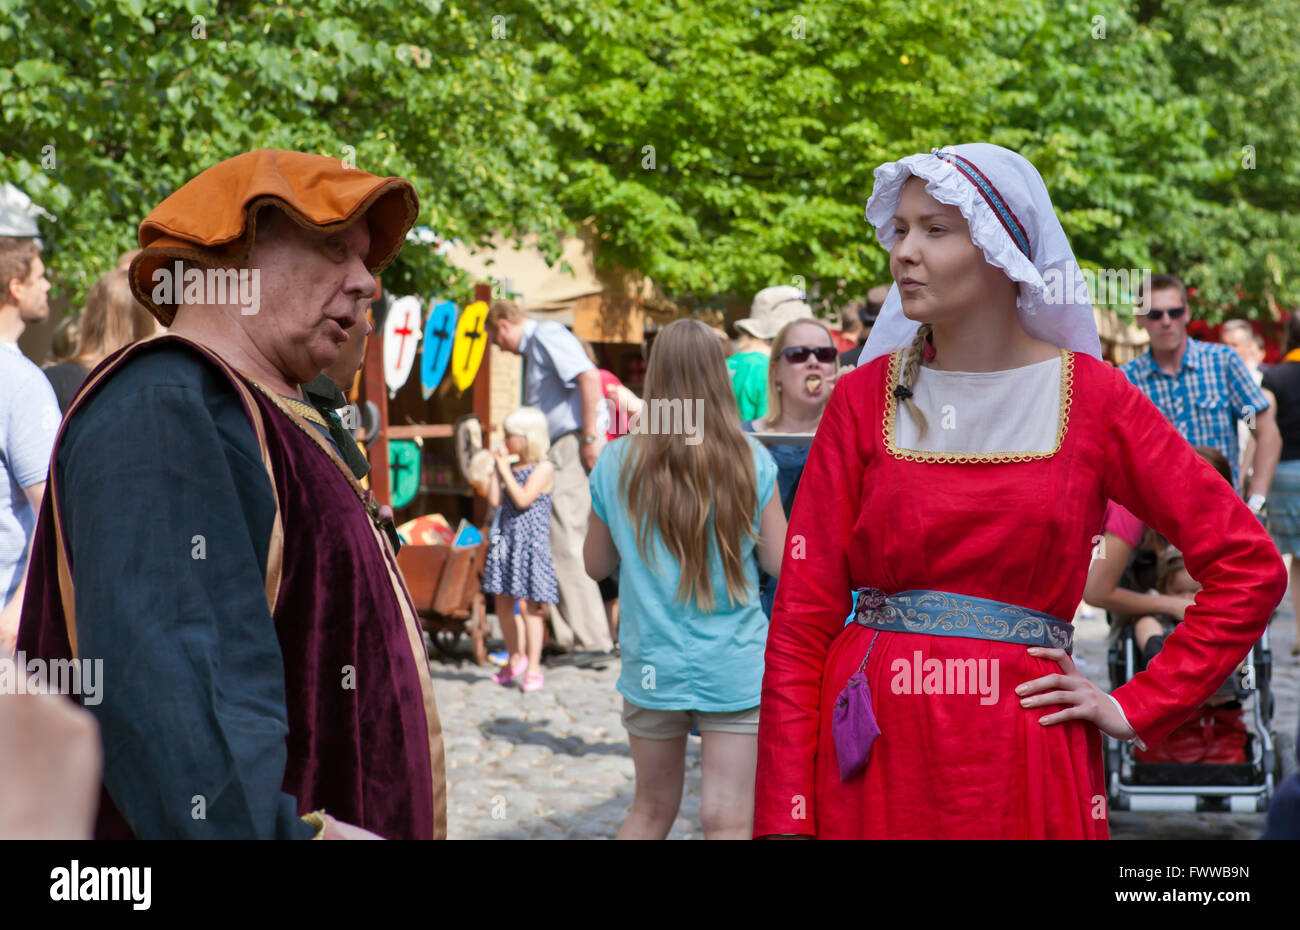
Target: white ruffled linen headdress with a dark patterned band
1011,217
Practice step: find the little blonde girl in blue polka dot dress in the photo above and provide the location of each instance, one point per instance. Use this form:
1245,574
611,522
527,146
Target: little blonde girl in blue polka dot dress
519,553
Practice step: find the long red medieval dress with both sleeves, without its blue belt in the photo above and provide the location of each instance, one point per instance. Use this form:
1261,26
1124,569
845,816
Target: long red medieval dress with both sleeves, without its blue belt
1022,533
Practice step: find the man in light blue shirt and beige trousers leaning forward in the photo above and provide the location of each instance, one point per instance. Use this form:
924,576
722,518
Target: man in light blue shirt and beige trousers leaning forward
561,382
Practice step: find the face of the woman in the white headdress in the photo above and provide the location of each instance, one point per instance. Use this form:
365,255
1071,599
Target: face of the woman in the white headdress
939,271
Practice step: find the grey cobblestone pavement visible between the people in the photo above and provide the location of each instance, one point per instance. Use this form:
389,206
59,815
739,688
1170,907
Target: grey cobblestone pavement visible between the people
556,765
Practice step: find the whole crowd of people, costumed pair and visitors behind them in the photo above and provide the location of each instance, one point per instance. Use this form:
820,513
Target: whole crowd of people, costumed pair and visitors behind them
921,486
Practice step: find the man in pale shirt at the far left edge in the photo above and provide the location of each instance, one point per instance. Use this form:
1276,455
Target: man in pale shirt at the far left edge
29,421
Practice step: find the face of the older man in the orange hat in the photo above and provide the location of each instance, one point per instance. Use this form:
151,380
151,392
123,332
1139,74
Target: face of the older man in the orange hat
314,289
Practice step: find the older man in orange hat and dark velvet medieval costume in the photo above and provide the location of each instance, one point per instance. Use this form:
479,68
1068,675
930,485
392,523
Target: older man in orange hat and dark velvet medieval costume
265,674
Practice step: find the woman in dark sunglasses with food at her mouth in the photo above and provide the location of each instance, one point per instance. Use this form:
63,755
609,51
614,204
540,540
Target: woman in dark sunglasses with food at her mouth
800,377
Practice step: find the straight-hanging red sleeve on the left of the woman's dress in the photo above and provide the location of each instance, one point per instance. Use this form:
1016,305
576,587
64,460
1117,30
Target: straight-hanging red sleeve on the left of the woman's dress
812,603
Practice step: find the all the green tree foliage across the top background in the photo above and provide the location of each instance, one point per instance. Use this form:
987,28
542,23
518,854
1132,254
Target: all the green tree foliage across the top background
716,148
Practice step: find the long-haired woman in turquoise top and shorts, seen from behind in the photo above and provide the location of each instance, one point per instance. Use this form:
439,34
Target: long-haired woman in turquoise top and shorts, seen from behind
688,516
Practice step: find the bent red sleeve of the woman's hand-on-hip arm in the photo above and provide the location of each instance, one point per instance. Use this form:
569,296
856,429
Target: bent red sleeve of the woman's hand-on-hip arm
1154,472
